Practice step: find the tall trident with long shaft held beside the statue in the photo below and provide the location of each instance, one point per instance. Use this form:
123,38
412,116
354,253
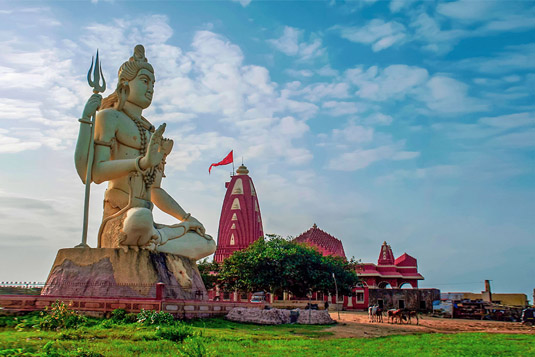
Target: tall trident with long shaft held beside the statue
97,88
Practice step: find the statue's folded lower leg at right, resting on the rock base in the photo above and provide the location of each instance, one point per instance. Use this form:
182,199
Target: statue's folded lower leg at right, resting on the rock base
192,245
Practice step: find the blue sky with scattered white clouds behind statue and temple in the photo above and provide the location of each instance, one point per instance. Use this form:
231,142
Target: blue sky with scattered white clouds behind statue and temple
400,121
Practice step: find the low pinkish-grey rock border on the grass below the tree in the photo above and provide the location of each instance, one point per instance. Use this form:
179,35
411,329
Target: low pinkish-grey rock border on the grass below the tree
279,316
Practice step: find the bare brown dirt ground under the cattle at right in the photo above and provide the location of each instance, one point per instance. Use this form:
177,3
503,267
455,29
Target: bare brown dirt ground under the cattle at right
356,324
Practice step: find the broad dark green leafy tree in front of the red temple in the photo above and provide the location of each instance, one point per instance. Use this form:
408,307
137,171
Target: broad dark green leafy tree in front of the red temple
279,264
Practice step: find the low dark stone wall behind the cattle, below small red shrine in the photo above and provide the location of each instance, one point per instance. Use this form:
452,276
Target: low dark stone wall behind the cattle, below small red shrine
413,299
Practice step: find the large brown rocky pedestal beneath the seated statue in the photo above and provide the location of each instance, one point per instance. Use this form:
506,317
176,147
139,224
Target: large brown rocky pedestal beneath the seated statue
109,272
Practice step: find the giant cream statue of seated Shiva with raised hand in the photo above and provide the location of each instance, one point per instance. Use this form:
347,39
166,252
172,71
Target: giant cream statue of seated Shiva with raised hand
130,154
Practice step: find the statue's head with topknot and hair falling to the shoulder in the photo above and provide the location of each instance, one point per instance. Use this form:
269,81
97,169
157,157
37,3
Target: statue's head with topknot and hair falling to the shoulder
135,84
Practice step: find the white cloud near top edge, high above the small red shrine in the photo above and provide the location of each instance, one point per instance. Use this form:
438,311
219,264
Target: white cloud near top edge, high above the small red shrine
377,33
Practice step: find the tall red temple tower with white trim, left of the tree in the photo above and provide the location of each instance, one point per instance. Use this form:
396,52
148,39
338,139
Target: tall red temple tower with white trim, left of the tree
240,223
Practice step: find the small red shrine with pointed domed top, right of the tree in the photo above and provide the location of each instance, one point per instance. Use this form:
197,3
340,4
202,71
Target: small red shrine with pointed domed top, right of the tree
390,271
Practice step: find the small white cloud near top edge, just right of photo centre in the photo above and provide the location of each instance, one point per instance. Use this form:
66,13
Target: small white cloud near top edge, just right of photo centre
290,44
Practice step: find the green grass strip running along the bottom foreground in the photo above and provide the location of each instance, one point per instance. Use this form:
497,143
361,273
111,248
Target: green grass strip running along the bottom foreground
221,338
